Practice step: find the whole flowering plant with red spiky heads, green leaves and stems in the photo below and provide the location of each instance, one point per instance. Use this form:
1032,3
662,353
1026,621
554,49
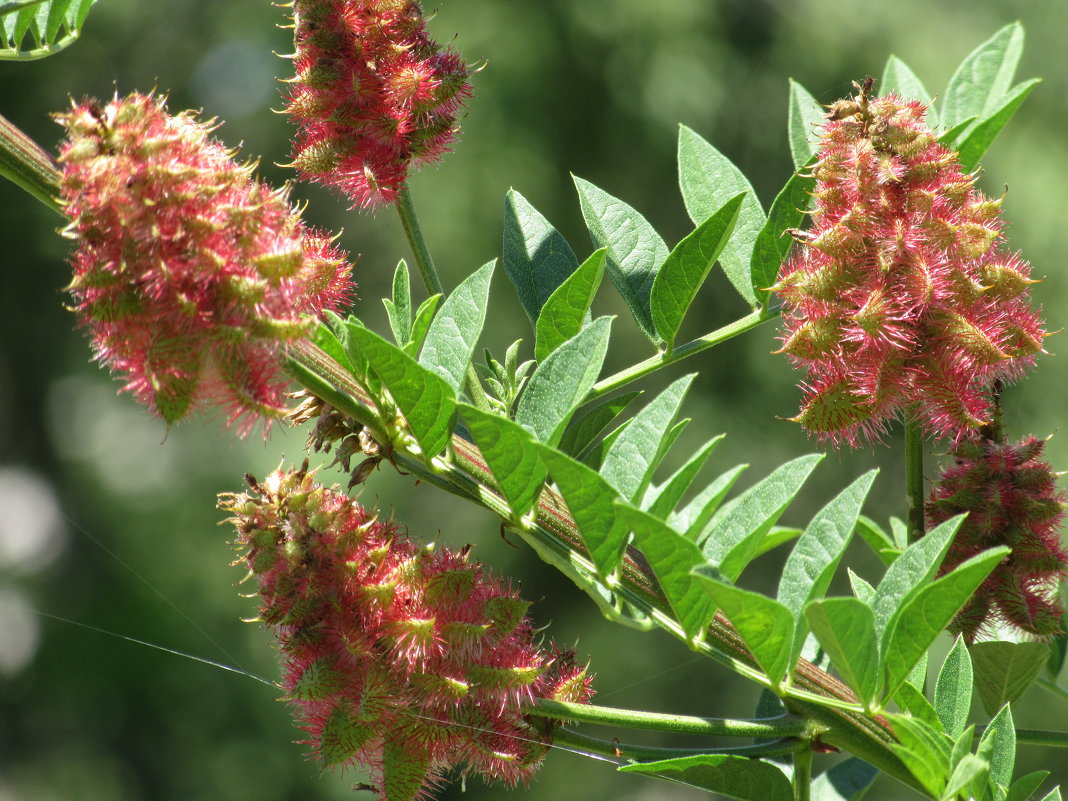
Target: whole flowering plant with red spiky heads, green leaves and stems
407,661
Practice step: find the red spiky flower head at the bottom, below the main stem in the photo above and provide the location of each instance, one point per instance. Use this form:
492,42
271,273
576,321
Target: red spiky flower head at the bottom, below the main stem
405,659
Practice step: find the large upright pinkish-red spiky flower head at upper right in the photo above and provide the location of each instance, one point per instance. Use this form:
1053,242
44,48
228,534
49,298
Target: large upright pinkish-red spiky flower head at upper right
900,295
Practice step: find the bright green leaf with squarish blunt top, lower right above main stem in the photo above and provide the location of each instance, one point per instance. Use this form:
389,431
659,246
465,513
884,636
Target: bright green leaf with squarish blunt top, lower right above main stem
845,627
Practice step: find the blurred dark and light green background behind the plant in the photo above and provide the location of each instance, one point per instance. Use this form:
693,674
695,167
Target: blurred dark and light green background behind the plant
108,521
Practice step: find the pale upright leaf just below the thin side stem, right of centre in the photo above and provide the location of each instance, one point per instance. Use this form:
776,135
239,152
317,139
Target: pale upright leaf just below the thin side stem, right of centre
630,463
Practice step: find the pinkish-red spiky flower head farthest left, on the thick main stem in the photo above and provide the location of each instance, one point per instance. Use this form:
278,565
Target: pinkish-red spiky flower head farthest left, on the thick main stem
190,274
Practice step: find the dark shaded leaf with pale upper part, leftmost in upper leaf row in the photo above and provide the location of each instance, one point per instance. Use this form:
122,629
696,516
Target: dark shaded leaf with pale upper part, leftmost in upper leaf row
537,257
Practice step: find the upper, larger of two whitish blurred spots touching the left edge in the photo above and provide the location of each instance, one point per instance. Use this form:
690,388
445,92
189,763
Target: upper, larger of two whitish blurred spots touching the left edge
33,532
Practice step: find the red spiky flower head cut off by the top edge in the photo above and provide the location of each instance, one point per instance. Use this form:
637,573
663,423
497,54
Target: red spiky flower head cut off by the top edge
373,96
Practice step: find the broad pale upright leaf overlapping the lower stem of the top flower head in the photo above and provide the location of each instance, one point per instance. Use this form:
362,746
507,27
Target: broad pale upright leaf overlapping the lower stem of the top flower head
457,327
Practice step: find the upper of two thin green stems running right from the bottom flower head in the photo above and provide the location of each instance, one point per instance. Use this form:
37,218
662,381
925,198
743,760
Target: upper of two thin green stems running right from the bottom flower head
767,728
